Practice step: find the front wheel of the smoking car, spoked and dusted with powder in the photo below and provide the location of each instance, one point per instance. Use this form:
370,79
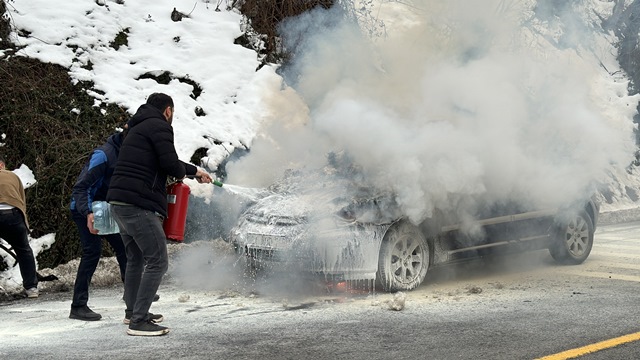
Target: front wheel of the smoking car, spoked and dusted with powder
404,258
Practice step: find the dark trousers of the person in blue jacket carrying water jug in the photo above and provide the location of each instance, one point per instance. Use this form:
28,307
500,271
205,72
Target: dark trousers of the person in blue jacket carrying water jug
91,252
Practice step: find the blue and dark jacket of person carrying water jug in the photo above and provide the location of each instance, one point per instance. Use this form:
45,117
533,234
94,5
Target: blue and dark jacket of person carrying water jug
93,182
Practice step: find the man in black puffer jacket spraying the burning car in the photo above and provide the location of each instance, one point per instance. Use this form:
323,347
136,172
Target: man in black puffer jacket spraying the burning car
138,195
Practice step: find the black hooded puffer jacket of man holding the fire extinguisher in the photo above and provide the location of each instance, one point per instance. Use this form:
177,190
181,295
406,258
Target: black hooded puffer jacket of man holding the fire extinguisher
147,156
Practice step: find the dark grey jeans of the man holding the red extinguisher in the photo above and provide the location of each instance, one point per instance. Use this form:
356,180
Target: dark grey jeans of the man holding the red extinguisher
147,260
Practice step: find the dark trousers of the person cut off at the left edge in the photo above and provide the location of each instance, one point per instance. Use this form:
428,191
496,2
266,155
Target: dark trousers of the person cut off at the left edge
14,231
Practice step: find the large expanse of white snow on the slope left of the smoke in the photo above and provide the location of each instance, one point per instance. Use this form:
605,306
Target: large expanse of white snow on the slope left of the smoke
205,53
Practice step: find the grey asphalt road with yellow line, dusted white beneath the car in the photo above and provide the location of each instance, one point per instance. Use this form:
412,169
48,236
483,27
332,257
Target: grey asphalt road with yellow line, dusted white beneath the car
520,307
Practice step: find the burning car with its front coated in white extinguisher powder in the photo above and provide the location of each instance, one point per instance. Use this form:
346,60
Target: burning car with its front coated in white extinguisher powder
327,223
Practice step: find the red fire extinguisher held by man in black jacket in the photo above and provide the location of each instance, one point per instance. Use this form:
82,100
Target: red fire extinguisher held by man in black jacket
177,205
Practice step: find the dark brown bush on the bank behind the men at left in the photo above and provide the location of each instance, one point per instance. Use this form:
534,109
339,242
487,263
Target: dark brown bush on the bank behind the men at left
51,126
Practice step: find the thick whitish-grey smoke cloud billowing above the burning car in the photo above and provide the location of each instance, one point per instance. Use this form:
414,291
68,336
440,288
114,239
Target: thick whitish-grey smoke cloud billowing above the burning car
462,104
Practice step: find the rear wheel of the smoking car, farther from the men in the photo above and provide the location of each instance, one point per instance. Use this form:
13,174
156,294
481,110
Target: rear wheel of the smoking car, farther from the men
572,240
